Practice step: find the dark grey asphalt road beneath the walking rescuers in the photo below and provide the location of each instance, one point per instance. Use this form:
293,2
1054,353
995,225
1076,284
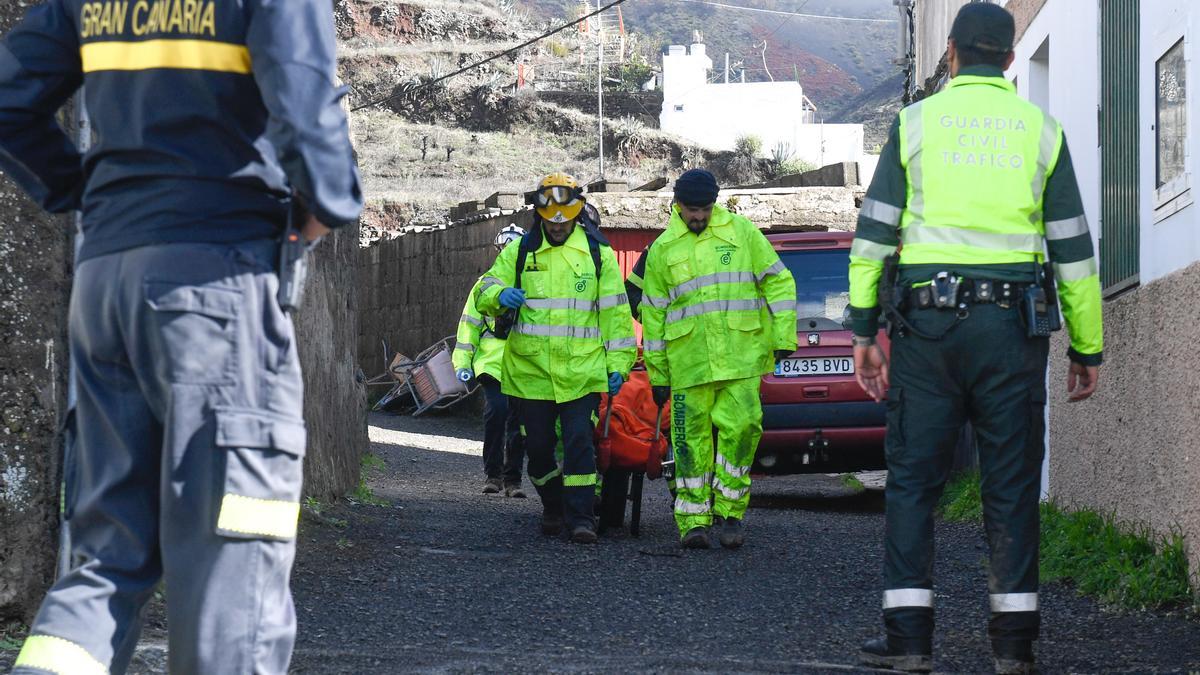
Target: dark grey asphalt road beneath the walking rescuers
448,581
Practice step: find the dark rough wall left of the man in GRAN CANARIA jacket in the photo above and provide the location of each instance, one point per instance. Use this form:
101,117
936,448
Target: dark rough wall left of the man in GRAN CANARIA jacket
35,259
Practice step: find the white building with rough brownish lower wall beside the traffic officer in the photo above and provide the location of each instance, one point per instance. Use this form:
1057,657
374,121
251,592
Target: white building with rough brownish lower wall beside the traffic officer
1117,76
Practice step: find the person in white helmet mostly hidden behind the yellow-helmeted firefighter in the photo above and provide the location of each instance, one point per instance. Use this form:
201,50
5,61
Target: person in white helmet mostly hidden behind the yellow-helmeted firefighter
477,355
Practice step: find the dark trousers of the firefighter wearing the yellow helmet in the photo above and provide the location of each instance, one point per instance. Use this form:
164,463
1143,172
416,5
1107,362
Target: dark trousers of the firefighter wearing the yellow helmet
579,456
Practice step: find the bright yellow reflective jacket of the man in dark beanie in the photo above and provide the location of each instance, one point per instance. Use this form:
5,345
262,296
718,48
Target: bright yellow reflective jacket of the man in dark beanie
717,304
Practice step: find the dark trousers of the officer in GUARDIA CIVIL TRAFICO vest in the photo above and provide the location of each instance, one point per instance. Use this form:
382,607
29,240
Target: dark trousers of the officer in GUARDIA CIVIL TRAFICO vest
986,372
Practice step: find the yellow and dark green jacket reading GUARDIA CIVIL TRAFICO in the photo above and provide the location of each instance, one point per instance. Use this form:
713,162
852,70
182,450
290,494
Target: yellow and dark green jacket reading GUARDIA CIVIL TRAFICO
977,162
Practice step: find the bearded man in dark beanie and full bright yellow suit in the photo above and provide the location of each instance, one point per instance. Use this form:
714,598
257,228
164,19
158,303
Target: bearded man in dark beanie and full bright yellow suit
718,310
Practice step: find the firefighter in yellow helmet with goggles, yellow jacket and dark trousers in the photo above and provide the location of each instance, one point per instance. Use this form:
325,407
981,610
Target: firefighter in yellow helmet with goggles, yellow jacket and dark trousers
572,338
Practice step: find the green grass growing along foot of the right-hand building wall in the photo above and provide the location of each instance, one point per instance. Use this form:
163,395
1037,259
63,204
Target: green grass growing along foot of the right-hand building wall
1129,568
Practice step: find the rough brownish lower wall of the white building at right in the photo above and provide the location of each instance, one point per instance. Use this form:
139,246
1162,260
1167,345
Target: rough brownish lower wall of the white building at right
1135,447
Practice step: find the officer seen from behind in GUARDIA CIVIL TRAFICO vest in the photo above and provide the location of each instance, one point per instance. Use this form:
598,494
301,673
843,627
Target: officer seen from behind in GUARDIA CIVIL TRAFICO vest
975,187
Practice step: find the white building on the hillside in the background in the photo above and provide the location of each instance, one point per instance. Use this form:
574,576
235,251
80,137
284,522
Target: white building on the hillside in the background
716,115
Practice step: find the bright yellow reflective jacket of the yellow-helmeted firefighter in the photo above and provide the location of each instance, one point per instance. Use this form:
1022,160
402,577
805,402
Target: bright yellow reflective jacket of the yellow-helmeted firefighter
573,330
